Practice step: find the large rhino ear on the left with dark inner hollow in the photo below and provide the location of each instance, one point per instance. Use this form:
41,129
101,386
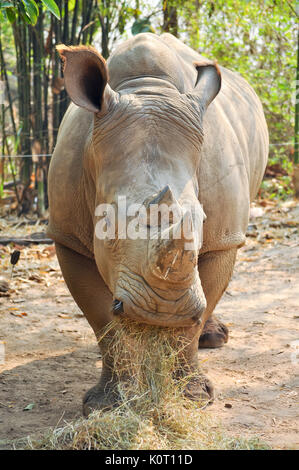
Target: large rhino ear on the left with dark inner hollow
85,76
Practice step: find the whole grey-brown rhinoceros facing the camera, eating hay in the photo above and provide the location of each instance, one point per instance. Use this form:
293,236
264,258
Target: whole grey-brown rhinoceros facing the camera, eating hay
157,124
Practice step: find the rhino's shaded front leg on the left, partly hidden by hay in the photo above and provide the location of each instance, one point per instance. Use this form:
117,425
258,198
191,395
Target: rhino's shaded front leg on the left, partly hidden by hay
94,299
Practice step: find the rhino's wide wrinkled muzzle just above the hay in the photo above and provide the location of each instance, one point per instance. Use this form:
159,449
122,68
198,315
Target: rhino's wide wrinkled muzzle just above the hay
135,299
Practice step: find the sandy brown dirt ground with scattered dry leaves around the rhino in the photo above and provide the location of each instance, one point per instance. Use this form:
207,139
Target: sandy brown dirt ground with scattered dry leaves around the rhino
51,356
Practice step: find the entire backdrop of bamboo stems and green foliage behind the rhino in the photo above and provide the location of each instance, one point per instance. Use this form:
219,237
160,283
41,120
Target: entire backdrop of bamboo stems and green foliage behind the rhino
258,39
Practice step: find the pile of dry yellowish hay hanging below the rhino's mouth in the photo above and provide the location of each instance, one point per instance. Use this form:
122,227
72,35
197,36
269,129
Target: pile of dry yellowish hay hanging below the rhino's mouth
154,413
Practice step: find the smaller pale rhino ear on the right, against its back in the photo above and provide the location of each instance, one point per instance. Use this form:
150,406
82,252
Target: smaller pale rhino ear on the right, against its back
208,82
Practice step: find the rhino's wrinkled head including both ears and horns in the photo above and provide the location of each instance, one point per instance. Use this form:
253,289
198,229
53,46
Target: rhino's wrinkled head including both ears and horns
142,158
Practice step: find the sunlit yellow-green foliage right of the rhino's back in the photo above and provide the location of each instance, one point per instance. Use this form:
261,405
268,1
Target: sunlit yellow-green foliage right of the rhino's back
257,39
